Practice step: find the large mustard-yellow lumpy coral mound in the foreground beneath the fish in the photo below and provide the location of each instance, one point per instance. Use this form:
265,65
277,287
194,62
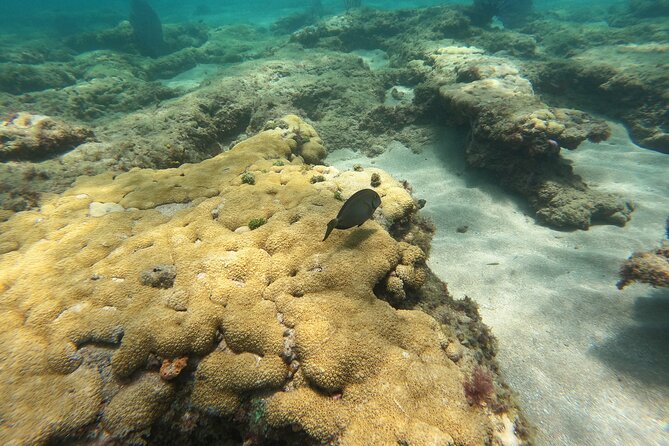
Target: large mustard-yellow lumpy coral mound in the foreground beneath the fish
141,301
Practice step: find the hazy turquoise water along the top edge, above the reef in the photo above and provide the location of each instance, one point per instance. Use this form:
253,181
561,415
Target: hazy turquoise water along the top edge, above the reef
71,16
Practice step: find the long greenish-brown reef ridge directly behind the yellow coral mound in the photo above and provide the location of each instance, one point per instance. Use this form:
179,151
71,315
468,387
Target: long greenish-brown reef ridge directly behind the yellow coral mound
200,124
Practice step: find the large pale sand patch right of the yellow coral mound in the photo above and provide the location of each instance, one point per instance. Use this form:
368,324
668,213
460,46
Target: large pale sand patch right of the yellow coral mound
590,363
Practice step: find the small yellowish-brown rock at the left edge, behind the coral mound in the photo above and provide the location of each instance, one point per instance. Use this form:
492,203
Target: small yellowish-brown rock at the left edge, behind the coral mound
25,136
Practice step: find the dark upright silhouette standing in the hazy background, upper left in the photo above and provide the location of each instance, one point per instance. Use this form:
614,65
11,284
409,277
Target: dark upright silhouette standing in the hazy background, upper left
147,29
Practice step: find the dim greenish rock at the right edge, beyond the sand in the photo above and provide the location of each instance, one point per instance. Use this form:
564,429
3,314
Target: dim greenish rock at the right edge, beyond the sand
625,81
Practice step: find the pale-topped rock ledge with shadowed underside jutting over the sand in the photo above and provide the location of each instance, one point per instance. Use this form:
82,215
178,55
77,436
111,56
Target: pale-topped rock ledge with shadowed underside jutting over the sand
519,138
